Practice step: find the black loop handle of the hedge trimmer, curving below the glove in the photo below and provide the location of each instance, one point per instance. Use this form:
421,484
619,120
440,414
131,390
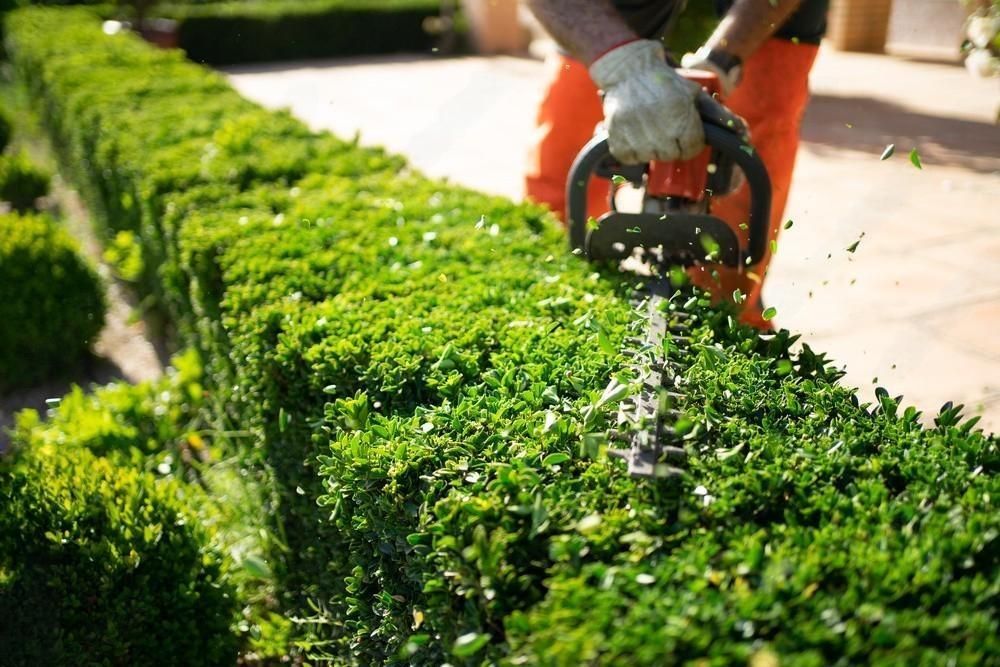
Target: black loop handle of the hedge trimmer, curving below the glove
726,143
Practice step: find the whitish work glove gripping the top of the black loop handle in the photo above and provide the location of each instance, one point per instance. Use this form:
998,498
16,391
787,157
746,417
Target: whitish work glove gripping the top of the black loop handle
649,109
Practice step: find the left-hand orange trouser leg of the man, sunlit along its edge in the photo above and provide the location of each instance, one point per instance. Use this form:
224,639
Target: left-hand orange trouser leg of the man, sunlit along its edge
569,112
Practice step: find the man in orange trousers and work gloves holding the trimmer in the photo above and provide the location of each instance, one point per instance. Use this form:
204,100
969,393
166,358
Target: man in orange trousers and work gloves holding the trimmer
762,52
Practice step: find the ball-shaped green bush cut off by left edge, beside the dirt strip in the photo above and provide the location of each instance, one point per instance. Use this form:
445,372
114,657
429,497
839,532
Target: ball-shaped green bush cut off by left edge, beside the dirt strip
51,301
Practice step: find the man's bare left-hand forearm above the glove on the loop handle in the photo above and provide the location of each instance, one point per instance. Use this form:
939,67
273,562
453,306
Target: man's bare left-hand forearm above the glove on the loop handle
585,28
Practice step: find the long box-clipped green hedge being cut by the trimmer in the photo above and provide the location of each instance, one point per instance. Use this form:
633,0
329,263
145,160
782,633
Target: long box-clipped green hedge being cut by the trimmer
420,364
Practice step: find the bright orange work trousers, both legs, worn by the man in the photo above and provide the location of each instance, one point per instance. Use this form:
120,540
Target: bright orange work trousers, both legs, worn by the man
771,97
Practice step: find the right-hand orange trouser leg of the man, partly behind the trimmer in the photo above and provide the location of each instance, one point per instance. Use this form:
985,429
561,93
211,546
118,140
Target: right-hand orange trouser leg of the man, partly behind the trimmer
772,98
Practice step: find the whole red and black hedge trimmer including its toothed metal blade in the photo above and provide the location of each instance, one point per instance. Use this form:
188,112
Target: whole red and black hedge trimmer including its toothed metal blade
674,228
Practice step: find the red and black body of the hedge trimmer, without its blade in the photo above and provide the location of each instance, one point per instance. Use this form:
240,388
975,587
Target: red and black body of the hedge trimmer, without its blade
675,224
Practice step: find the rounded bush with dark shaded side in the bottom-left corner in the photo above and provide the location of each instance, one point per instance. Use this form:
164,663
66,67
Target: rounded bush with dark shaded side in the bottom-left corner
102,564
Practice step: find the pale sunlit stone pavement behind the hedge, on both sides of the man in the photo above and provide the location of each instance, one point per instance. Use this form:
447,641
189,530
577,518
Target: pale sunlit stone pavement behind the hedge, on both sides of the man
916,307
